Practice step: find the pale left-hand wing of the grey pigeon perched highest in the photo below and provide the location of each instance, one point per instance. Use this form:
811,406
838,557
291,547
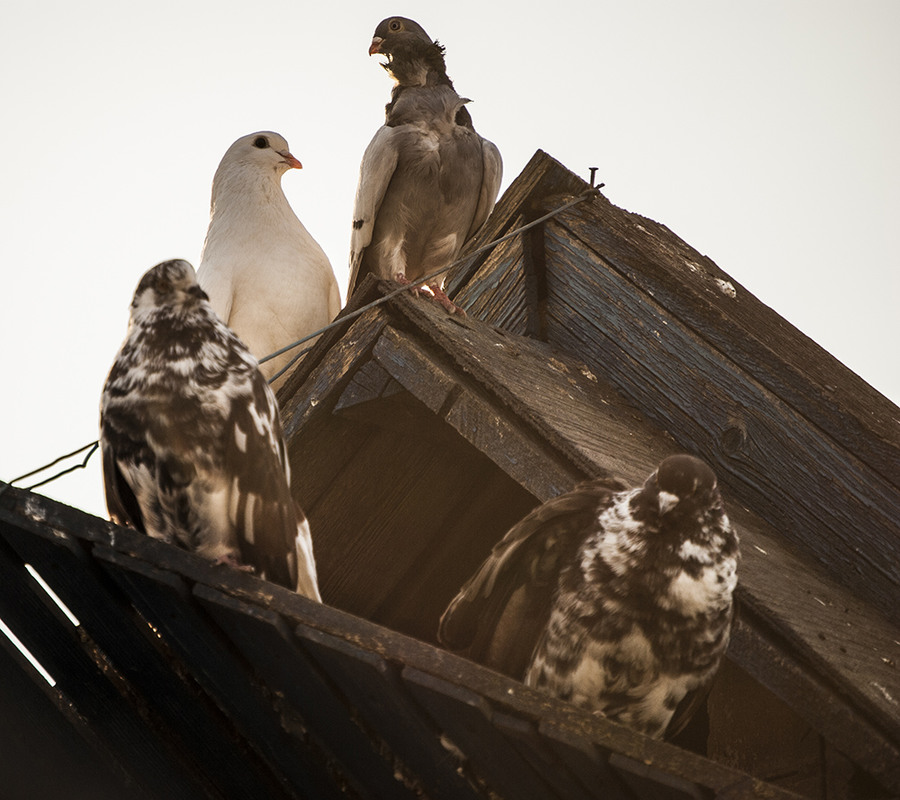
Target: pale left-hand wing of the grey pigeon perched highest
378,164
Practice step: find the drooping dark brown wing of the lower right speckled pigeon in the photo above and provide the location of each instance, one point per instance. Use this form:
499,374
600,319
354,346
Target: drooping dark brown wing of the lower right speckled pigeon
499,614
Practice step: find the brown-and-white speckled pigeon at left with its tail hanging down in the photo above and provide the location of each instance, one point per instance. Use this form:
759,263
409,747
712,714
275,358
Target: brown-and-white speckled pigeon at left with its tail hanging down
193,451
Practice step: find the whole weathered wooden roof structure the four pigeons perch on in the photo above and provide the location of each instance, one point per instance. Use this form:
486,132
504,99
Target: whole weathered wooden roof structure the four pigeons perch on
597,343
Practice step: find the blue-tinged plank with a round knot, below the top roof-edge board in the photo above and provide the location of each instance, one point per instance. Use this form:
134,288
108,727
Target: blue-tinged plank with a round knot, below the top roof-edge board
712,407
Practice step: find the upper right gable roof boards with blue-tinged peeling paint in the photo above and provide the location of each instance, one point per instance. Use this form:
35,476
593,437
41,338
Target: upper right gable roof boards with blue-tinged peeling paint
804,441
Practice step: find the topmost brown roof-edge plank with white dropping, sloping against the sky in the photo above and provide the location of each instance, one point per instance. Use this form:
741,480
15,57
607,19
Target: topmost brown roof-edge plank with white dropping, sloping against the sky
756,338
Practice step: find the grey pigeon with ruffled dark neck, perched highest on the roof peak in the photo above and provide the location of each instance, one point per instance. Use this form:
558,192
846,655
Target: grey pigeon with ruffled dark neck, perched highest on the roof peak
427,181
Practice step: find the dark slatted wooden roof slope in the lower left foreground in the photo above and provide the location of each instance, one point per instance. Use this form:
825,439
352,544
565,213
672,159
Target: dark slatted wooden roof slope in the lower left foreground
308,697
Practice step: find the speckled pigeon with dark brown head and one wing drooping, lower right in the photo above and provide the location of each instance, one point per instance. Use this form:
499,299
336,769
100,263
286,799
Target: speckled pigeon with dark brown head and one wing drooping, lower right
617,600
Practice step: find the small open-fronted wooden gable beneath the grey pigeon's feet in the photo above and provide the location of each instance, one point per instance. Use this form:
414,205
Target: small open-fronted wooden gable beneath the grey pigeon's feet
447,428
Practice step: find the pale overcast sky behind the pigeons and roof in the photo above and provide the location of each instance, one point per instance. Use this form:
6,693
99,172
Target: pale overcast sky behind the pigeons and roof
764,133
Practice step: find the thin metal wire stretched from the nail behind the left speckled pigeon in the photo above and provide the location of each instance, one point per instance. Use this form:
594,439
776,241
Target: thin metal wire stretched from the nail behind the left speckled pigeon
93,446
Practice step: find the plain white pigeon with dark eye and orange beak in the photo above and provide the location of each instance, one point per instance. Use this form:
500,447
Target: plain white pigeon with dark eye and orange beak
266,277
